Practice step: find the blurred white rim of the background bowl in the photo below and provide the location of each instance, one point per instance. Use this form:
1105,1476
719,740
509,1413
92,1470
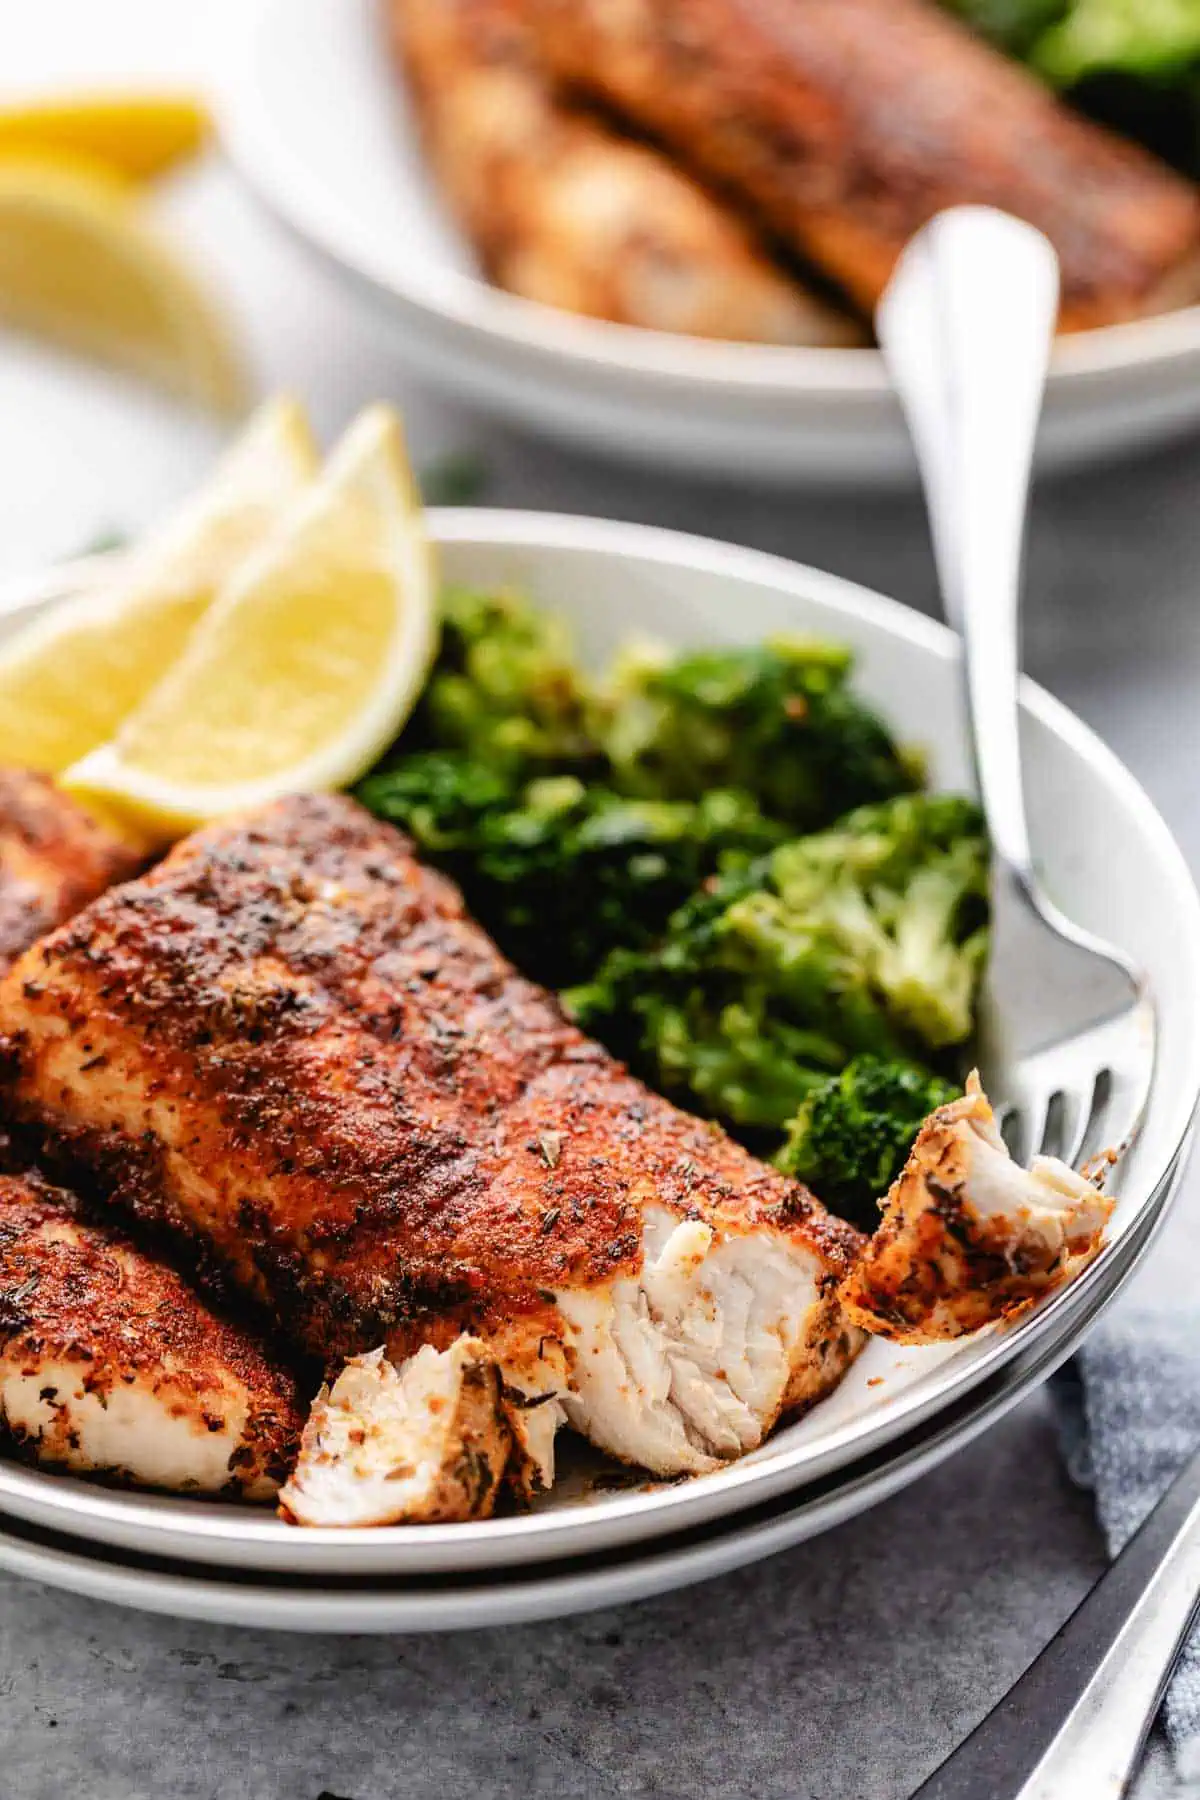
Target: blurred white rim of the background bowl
274,168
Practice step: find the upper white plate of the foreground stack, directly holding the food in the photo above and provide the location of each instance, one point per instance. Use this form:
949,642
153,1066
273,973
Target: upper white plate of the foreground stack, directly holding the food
1107,858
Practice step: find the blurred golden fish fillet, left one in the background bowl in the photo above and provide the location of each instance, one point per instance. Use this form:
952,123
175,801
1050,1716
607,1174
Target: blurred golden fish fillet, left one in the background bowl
568,211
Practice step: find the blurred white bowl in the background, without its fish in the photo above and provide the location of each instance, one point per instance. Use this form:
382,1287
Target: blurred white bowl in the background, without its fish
319,125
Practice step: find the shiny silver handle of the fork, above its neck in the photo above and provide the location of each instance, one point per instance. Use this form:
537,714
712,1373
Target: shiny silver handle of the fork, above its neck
967,327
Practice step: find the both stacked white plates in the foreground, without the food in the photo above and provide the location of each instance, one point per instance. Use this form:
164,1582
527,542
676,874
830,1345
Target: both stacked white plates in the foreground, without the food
1109,861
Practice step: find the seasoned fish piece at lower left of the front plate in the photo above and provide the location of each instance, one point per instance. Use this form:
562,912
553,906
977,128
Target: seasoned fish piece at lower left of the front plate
111,1365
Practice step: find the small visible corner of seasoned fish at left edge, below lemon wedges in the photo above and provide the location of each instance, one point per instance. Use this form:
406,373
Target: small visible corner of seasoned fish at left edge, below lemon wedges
53,859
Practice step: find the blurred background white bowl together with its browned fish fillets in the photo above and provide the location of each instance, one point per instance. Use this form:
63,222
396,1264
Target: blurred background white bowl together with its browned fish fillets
411,190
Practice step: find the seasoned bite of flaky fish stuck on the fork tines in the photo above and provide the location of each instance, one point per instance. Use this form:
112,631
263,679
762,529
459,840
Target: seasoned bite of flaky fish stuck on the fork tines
969,1236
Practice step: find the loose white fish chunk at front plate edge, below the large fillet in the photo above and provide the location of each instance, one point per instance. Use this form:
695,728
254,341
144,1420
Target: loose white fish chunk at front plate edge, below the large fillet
416,1444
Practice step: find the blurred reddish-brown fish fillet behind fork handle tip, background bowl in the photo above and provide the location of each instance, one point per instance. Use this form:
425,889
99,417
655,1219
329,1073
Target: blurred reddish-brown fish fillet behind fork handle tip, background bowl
846,125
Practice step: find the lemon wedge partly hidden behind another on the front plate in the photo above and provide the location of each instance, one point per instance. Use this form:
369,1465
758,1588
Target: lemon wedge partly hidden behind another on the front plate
69,679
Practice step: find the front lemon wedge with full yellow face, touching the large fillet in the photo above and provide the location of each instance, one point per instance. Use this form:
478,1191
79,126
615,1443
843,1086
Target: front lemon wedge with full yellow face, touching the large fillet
305,669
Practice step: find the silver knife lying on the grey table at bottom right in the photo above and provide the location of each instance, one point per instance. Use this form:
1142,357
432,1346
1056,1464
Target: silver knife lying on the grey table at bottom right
1079,1718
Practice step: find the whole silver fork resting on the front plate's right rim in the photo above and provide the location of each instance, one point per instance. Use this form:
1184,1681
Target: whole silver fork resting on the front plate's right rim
967,327
